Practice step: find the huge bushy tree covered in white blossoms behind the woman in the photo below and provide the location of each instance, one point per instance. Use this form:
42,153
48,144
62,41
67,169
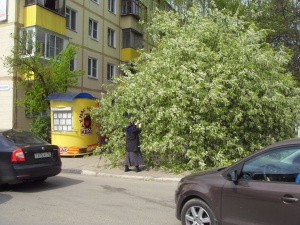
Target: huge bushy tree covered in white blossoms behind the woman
210,92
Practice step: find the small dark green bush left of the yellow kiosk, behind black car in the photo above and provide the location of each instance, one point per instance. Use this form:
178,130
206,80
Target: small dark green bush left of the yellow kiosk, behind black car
41,126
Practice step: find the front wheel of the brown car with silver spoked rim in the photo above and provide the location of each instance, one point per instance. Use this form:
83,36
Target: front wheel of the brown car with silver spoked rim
197,212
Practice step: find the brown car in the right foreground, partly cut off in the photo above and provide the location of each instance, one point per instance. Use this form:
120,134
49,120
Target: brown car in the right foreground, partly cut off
261,189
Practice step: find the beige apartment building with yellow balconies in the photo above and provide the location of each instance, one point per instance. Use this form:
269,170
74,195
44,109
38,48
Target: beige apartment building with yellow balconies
107,32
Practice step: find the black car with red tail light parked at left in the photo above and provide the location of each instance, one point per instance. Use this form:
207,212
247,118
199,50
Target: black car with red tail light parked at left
26,157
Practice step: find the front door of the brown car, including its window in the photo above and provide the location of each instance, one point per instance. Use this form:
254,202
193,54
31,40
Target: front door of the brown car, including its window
263,195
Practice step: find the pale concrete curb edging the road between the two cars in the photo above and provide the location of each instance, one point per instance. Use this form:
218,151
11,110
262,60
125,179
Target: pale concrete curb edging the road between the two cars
93,173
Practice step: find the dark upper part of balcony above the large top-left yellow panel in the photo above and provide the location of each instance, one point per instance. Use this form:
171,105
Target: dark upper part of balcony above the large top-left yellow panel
57,6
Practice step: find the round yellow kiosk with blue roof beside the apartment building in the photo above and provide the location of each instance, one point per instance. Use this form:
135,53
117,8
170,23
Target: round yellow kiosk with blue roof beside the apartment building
72,128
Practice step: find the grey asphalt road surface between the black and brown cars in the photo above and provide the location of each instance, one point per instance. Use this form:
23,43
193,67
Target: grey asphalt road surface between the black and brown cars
86,200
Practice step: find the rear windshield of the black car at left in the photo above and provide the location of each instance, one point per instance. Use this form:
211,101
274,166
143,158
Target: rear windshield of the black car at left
22,137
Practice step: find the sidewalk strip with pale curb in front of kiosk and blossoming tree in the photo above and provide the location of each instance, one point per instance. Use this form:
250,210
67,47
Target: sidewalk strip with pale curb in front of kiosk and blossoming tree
100,166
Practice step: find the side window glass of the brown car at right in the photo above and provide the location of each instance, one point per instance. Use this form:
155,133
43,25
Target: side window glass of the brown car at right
282,165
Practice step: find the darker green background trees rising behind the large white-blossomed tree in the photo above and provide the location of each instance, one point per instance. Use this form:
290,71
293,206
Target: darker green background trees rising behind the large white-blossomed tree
280,16
